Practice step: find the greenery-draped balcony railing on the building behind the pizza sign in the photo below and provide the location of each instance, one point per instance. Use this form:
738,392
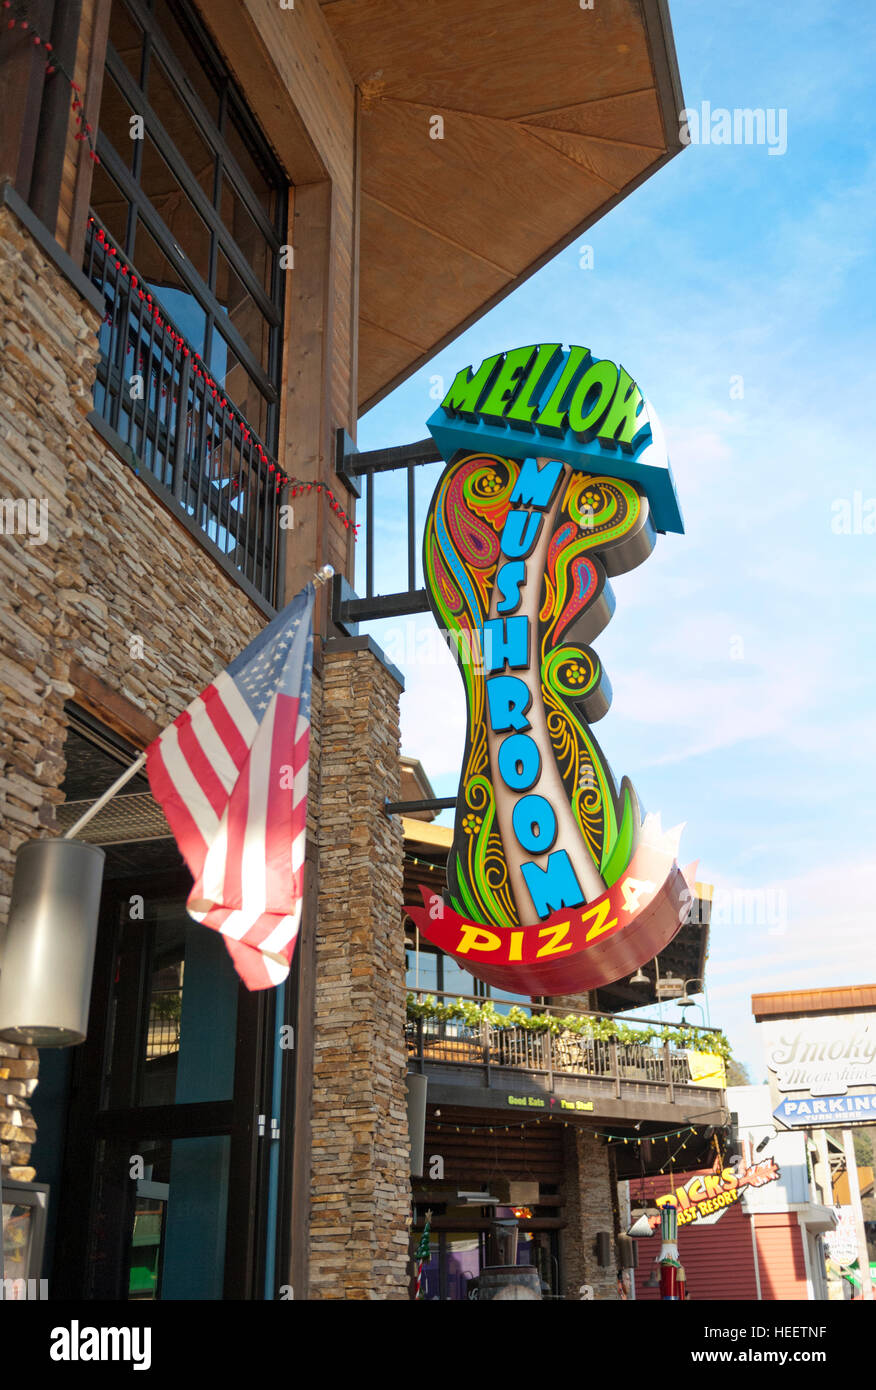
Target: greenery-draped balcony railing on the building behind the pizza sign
657,1067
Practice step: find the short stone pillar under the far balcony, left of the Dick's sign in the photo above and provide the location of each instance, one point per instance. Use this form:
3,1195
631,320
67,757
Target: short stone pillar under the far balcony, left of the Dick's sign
589,1204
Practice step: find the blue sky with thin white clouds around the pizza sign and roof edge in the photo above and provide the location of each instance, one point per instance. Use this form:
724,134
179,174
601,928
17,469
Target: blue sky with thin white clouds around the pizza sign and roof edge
743,654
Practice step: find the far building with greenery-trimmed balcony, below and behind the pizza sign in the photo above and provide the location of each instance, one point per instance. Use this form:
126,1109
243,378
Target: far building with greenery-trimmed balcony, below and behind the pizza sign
532,1131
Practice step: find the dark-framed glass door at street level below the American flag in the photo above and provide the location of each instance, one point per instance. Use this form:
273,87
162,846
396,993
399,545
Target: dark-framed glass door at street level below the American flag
163,1177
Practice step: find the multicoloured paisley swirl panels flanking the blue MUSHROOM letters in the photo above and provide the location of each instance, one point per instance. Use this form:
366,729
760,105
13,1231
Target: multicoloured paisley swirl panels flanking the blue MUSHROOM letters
462,553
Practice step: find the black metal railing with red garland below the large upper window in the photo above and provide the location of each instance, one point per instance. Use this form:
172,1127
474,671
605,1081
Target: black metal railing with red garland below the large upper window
158,398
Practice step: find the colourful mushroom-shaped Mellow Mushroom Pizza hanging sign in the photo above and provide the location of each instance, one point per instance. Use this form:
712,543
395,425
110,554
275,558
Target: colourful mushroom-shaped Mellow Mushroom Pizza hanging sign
557,480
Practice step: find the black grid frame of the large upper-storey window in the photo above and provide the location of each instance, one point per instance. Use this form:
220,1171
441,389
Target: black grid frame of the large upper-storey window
212,131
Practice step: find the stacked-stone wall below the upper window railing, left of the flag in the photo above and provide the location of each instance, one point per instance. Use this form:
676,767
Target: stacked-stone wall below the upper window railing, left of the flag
115,566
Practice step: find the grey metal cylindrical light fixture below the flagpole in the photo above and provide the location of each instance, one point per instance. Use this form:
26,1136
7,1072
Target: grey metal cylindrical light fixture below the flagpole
49,953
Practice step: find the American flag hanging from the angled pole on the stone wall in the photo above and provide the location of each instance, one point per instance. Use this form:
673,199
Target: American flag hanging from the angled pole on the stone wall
232,778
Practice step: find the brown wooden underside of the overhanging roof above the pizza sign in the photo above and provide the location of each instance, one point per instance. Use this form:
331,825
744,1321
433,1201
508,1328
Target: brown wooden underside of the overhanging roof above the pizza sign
553,113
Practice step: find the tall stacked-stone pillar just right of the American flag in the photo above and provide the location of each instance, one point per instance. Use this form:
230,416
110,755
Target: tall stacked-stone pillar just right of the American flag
361,1189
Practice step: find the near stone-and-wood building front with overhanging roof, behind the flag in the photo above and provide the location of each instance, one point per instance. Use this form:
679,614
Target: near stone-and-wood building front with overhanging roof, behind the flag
198,302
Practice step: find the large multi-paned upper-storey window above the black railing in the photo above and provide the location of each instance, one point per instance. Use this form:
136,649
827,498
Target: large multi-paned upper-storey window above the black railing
198,204
